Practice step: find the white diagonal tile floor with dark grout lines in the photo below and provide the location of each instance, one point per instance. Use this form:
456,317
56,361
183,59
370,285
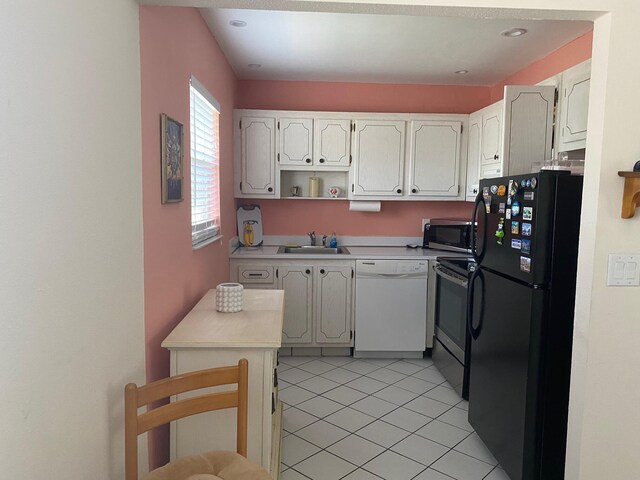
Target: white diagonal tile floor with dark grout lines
361,419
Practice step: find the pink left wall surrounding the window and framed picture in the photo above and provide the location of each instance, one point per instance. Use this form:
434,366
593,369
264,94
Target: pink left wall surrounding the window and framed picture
174,44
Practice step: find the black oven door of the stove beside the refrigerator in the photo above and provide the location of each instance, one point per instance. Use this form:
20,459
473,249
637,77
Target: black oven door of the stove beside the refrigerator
451,312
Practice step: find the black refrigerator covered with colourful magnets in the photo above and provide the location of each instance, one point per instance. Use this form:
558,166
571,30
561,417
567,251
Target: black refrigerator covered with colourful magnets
520,317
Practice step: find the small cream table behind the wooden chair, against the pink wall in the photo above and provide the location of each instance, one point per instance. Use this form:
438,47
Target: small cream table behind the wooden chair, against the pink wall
206,338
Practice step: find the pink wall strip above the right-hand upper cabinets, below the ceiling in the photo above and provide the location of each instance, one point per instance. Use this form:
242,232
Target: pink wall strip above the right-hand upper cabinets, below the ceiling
571,54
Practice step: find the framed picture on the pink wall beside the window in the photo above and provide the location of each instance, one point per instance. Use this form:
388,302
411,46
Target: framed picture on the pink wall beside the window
172,153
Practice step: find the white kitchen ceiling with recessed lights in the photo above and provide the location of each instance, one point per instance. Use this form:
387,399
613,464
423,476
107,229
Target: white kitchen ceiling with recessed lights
354,47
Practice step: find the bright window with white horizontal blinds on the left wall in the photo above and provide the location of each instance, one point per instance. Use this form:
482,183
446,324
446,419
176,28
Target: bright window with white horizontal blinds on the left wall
205,174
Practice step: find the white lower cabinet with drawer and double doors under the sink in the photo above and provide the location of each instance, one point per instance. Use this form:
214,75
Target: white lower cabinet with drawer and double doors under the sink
318,305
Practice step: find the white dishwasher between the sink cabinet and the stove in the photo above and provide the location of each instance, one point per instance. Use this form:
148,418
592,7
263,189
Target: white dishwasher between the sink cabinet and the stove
391,308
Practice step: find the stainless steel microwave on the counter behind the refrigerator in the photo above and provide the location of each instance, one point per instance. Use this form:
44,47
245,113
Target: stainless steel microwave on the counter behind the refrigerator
452,234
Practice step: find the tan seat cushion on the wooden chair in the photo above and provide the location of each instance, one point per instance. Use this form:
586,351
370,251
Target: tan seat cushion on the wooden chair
210,466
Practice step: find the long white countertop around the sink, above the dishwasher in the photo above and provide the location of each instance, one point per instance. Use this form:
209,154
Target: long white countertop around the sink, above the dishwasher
356,253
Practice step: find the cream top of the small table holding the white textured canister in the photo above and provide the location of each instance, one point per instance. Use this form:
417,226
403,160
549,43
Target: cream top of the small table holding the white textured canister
257,325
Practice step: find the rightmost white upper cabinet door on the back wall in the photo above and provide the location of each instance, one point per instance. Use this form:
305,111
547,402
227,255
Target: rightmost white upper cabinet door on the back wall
434,158
